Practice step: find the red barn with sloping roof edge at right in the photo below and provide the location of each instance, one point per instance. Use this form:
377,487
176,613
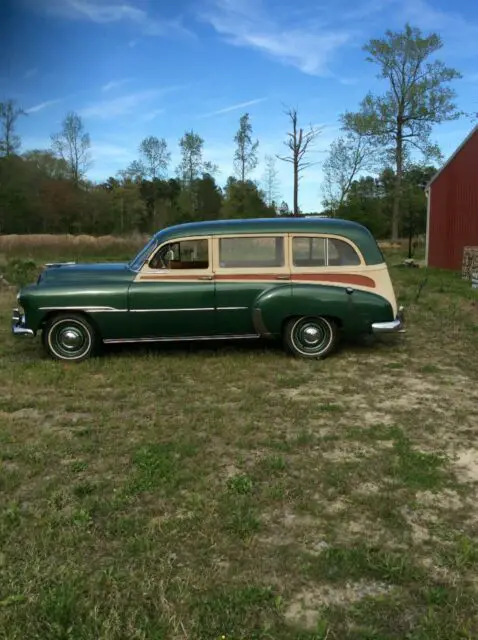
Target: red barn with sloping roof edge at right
452,217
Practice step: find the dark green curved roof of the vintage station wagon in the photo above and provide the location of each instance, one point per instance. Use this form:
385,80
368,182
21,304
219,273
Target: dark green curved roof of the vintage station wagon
356,232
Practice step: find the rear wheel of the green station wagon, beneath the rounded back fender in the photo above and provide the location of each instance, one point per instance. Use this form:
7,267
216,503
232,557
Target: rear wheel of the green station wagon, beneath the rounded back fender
310,337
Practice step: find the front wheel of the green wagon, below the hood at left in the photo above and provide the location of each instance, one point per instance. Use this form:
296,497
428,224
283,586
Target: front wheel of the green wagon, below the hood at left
69,337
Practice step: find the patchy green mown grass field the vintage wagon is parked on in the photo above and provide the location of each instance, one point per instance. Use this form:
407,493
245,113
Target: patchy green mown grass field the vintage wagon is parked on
233,491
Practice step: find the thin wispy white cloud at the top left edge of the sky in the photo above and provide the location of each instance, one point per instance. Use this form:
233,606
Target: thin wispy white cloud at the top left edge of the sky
103,13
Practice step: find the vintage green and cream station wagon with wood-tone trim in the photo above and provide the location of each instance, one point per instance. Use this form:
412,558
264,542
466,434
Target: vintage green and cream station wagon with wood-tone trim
305,280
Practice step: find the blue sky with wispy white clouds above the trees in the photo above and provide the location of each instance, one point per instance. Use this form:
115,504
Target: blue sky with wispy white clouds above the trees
133,68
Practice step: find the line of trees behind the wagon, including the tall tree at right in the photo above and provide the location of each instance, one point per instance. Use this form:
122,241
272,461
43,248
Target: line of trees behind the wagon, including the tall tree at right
373,173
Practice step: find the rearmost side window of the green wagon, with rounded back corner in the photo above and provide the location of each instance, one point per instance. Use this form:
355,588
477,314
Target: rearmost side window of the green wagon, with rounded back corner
323,252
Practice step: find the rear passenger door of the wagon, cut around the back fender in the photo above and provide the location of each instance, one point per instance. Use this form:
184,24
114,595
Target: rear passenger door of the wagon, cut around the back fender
245,267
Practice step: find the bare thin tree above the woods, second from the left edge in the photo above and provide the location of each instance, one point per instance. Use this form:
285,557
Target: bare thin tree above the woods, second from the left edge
72,144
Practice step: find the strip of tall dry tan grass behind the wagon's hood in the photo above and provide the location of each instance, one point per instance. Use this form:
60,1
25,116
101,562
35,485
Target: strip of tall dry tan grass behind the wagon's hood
55,246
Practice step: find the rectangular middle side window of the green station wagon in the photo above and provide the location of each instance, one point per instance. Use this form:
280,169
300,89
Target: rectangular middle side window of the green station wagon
243,252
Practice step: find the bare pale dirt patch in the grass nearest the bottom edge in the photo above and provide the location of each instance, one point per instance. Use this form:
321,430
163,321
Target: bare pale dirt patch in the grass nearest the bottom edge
304,609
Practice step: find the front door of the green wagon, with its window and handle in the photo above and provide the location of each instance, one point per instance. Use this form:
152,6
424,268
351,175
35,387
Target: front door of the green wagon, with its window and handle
173,294
